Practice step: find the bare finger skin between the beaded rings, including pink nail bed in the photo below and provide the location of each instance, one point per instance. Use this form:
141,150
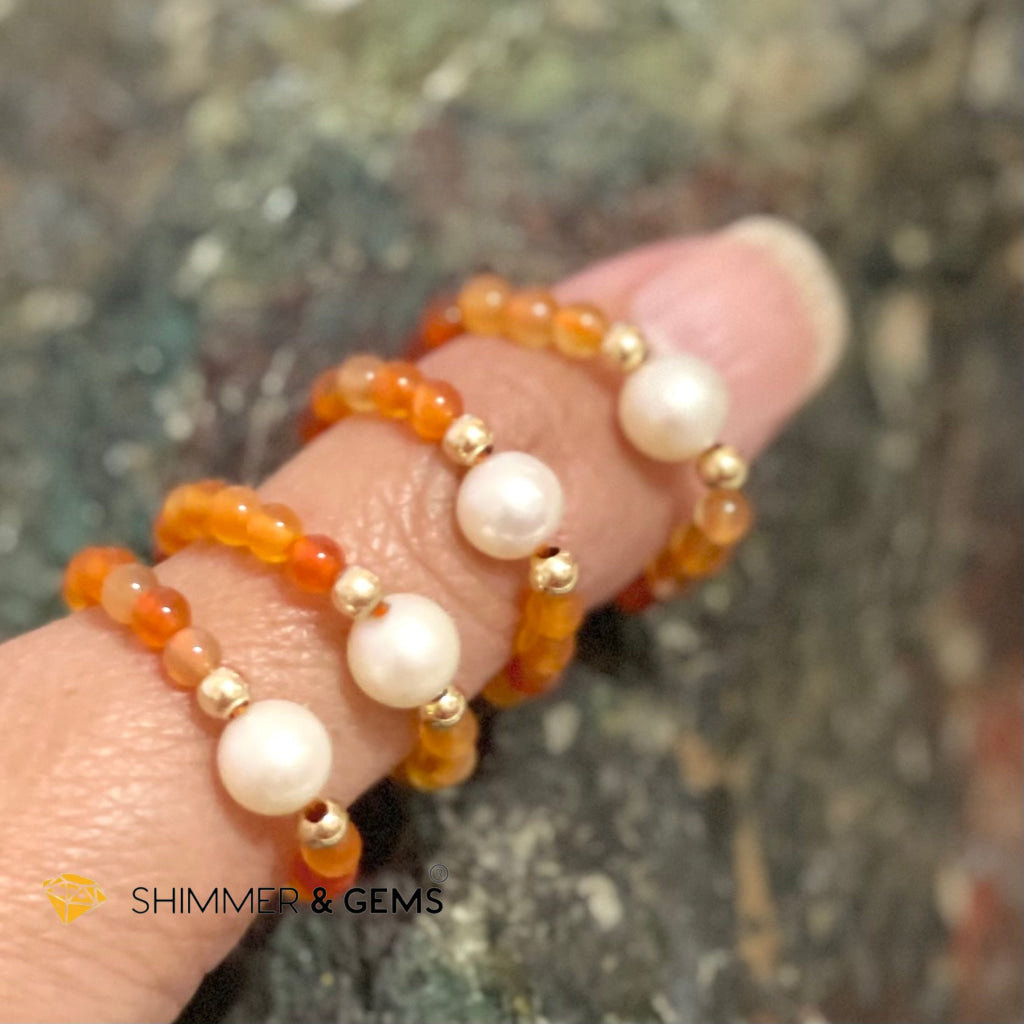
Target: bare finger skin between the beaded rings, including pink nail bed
108,772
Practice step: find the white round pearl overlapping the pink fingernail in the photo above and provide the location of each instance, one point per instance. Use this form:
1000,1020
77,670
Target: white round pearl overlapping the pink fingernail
673,407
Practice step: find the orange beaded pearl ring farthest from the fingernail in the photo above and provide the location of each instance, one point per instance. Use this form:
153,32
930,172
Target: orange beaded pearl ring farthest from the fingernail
274,756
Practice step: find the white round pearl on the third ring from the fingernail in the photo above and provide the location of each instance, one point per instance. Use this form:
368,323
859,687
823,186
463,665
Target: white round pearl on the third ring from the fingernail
406,657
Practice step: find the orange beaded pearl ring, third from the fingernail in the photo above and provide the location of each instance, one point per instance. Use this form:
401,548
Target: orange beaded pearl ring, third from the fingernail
403,650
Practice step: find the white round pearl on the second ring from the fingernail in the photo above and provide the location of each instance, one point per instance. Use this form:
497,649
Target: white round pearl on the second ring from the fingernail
509,505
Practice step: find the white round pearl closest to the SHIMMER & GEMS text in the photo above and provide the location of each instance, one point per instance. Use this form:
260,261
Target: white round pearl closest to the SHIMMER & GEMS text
275,757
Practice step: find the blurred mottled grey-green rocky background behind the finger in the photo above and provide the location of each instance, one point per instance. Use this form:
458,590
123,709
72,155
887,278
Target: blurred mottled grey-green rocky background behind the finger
794,796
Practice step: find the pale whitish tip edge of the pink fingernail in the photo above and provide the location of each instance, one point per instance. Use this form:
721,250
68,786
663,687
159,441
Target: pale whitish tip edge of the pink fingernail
803,262
